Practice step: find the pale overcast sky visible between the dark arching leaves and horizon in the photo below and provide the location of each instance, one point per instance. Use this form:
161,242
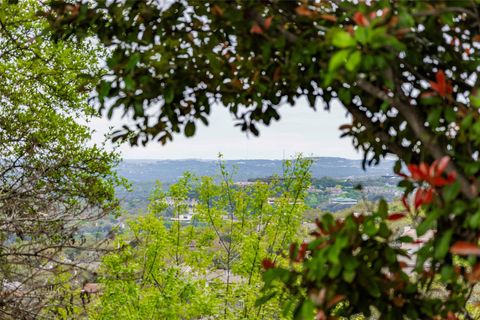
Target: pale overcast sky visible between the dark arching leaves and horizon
300,129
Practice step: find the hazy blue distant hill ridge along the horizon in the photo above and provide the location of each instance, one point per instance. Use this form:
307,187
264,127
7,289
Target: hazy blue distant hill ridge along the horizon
168,171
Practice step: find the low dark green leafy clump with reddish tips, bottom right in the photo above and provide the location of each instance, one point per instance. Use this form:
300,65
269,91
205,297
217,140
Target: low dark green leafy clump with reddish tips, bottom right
351,267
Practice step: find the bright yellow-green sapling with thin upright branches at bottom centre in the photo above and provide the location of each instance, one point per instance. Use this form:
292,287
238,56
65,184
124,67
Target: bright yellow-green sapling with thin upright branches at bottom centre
212,265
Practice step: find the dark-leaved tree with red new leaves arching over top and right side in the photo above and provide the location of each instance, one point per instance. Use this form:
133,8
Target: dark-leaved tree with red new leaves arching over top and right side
407,72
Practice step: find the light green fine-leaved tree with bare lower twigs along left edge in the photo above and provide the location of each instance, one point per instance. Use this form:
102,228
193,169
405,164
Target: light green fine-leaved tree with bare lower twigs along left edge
53,180
